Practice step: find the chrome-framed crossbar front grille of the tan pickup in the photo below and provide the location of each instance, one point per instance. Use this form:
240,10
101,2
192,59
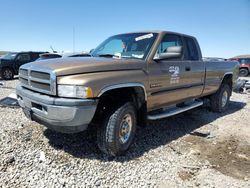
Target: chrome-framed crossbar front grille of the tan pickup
37,79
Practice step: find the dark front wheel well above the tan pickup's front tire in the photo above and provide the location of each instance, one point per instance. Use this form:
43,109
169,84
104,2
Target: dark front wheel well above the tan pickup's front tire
112,99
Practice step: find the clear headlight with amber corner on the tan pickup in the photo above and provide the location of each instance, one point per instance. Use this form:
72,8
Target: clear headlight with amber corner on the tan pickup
74,91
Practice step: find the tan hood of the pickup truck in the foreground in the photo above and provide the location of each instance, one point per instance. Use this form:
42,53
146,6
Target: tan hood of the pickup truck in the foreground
78,65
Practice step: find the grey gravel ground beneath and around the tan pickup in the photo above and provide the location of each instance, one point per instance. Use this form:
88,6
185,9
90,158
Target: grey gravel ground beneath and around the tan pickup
195,149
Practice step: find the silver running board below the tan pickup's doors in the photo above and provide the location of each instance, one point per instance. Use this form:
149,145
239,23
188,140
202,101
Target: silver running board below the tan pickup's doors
175,110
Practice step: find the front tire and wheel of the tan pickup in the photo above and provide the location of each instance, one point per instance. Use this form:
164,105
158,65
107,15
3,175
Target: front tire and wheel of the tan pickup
111,138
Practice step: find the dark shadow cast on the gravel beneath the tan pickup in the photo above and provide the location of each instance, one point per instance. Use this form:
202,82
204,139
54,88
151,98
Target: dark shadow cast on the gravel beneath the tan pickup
156,134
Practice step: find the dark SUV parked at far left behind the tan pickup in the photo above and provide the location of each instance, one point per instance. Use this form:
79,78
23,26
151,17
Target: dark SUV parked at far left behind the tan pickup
10,63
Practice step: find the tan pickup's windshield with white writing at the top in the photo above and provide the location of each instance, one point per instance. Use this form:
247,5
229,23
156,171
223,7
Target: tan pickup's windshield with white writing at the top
132,46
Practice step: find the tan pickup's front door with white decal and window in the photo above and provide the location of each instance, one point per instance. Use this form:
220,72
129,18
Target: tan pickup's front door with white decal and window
168,77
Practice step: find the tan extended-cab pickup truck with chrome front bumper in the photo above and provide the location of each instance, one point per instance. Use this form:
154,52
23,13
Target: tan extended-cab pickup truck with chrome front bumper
128,79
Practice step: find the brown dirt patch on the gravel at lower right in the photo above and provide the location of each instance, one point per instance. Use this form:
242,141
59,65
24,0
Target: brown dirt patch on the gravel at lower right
230,156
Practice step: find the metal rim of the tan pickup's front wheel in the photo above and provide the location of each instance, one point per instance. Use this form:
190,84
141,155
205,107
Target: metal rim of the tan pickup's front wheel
125,128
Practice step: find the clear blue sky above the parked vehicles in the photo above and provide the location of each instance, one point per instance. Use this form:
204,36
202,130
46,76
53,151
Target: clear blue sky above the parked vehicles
222,27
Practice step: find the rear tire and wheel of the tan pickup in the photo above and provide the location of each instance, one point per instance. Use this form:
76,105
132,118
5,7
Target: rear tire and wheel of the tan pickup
220,100
